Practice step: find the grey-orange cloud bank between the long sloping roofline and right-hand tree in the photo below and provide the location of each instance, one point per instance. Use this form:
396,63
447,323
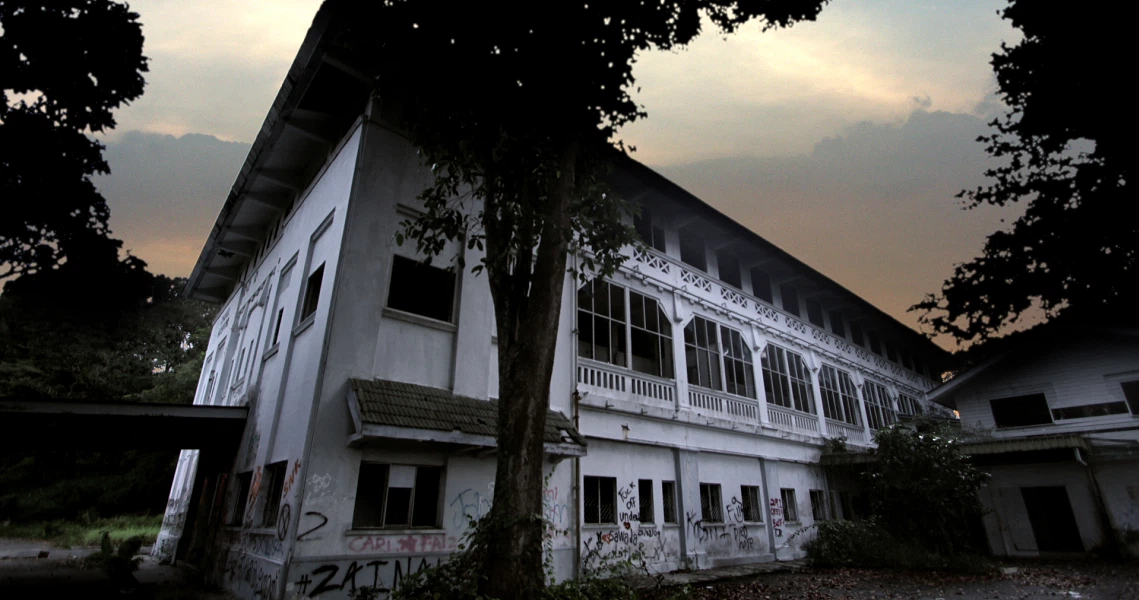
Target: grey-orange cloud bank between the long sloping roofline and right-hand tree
872,208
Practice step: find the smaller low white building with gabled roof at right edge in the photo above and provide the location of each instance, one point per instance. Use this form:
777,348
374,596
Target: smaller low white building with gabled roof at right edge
1056,418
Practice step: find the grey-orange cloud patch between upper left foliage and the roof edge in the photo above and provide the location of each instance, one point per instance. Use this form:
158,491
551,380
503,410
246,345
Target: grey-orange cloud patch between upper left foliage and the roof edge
166,193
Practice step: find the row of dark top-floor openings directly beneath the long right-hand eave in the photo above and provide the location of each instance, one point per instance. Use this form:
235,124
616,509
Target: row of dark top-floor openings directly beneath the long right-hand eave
693,253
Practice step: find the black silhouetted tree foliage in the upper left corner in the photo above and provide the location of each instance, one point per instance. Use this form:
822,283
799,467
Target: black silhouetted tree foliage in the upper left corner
64,67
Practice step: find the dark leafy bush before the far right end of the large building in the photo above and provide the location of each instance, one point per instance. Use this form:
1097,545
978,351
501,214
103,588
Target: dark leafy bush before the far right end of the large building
924,491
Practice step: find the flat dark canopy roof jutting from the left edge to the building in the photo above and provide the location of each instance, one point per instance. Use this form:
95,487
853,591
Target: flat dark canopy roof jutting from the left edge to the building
118,425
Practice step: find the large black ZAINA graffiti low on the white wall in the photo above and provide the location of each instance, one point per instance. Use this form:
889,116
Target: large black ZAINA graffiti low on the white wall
332,581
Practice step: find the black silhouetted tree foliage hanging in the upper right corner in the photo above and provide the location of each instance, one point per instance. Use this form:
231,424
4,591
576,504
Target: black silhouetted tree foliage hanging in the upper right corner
1066,153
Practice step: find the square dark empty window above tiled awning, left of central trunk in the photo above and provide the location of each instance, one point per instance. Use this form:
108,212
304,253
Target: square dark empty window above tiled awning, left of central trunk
422,290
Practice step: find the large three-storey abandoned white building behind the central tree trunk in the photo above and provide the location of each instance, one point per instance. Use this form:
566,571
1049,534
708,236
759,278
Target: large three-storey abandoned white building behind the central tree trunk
692,393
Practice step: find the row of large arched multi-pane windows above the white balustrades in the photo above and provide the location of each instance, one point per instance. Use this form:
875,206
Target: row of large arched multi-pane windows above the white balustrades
628,330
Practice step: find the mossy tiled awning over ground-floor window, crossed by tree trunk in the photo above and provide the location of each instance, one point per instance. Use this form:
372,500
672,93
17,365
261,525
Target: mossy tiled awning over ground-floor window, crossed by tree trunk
381,408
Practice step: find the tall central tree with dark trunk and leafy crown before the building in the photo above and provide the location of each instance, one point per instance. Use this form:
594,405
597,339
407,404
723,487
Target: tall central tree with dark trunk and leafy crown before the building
515,108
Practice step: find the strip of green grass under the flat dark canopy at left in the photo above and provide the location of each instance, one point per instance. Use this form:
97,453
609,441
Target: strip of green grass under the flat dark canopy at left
78,533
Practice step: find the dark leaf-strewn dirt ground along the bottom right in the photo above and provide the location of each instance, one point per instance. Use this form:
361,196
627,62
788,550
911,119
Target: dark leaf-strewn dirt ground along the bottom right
1085,581
